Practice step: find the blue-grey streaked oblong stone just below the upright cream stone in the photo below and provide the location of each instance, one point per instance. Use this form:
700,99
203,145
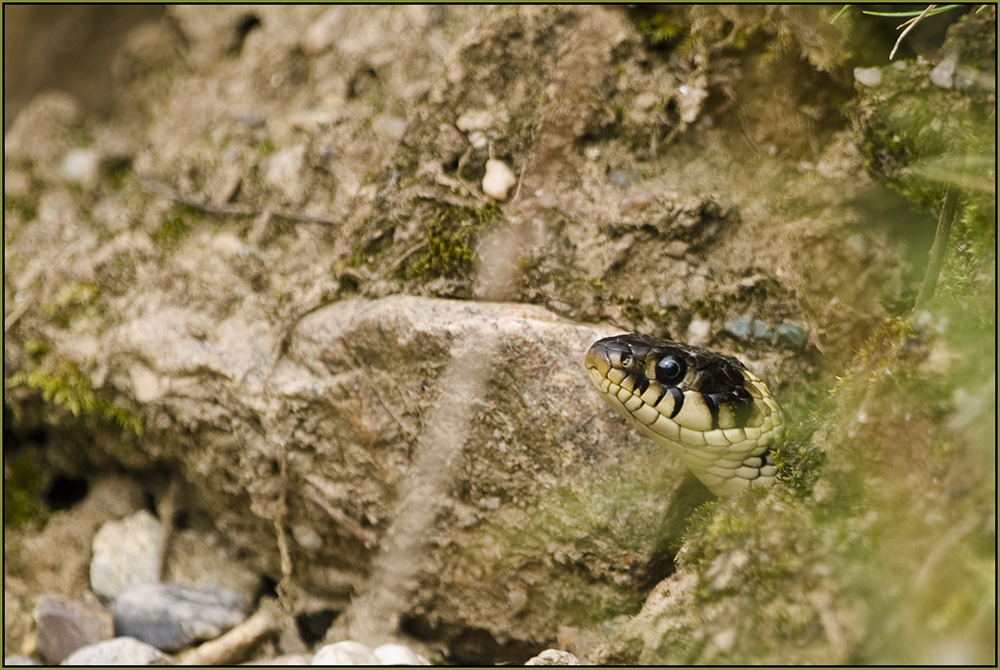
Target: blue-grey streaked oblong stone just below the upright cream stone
171,616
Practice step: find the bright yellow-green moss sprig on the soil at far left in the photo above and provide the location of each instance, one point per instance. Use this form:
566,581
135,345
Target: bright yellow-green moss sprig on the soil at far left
63,384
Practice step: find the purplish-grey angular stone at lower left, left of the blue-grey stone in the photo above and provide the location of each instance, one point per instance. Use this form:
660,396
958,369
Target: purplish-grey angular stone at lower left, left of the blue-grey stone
64,625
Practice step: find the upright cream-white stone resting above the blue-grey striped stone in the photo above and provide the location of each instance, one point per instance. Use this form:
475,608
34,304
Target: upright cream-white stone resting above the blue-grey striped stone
125,552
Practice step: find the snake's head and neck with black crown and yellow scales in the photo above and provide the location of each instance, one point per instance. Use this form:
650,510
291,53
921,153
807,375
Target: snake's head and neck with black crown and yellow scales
707,408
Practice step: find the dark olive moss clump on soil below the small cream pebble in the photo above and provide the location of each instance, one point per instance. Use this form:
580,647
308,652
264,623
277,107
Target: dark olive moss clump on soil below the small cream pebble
450,242
